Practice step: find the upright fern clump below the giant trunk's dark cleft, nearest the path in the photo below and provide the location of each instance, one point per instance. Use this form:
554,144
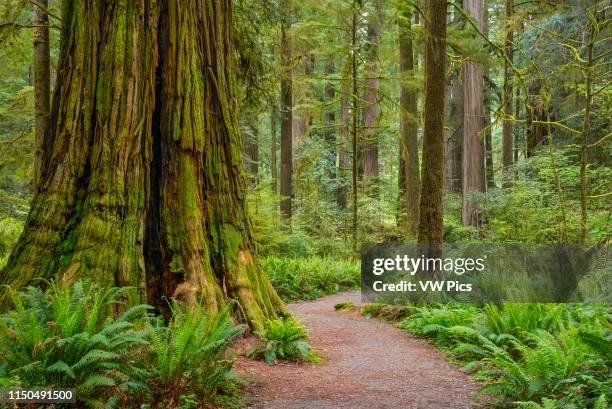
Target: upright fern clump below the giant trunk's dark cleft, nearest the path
191,352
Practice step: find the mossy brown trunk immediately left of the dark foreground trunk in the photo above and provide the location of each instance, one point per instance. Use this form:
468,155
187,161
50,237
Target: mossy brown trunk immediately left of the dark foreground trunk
408,122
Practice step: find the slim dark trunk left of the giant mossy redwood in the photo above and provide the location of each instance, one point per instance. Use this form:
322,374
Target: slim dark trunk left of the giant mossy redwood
42,84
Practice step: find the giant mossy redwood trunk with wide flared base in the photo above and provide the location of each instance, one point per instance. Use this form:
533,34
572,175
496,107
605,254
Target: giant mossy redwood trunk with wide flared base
142,180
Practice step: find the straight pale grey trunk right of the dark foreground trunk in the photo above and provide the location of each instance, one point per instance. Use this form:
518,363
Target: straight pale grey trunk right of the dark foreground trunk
473,119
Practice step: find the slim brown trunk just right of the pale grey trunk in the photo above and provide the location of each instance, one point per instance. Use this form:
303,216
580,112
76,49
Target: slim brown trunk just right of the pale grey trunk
507,148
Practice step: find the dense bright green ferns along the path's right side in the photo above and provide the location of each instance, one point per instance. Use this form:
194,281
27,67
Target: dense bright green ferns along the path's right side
529,355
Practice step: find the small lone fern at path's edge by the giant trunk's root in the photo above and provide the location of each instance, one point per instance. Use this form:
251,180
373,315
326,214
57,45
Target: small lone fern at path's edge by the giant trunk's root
284,339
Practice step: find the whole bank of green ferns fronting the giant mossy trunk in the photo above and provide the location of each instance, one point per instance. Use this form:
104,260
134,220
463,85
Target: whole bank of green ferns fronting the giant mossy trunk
78,338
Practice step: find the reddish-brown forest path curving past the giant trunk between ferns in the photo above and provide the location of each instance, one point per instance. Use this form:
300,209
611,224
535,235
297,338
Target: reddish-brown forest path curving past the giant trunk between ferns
366,364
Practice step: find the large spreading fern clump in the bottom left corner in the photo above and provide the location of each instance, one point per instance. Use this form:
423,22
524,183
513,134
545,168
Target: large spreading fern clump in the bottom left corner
68,338
